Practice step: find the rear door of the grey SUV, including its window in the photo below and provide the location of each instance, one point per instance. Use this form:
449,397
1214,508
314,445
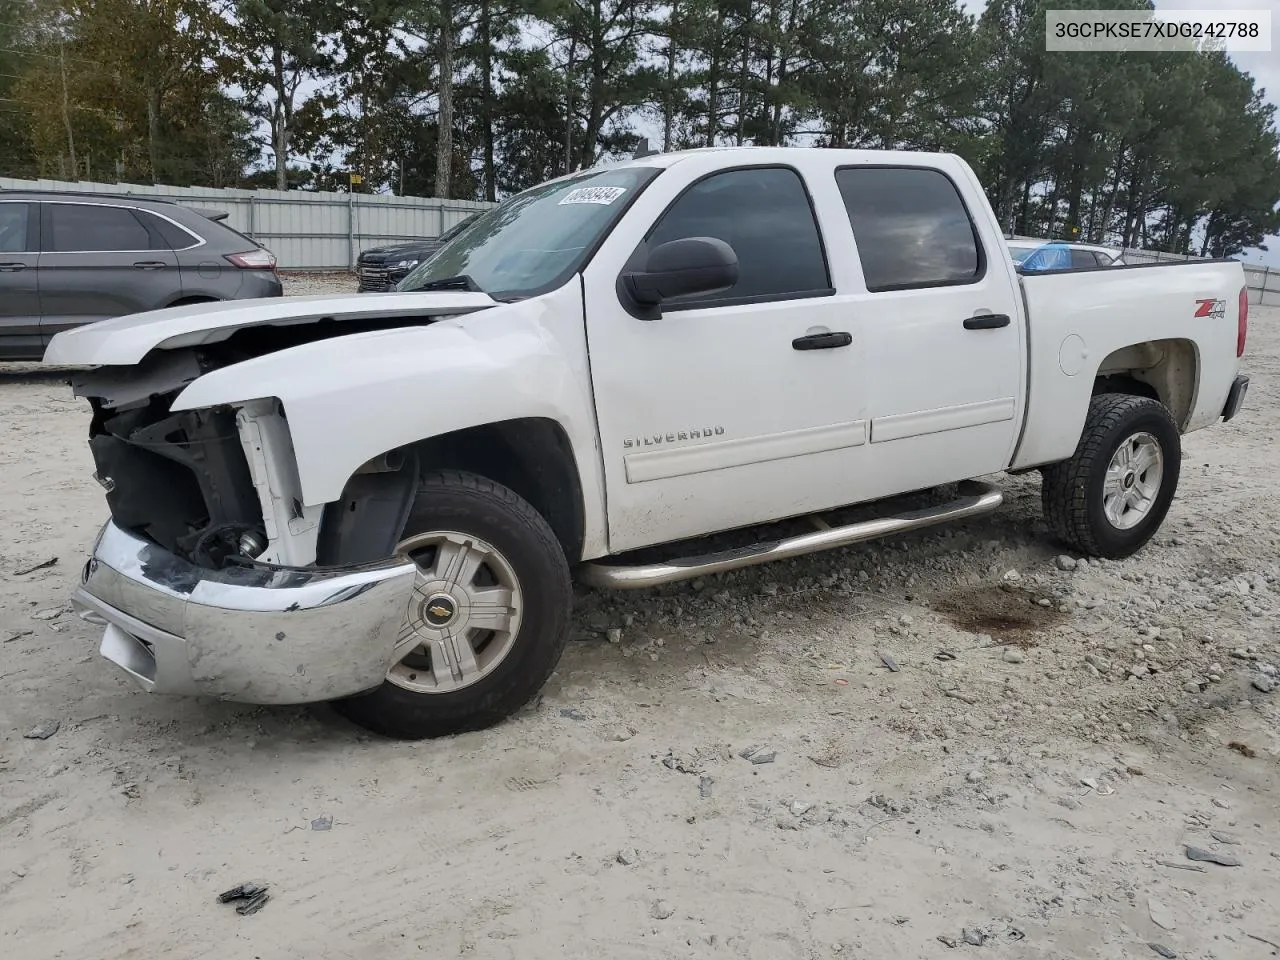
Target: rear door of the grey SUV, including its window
100,260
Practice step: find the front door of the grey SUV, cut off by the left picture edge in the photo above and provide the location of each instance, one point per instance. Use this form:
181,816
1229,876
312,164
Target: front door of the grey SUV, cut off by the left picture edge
20,291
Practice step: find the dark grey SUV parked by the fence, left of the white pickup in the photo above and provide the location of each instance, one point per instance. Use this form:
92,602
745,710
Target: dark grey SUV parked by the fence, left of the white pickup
71,259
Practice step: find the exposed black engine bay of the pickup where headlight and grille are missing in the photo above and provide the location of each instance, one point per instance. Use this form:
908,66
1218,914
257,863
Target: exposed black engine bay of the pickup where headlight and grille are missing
182,479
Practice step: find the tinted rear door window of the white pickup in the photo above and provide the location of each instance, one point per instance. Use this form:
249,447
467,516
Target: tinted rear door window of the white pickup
912,228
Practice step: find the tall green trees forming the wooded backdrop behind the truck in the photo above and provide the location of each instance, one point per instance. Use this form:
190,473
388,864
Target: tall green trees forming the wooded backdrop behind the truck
486,98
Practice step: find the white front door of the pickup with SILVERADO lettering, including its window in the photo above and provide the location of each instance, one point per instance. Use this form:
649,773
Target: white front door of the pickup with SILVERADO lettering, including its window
737,408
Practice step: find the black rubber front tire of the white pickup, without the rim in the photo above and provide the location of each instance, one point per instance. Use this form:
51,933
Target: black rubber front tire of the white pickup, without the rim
473,505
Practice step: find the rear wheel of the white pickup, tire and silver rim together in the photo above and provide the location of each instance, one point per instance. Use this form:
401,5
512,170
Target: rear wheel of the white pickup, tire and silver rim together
1113,495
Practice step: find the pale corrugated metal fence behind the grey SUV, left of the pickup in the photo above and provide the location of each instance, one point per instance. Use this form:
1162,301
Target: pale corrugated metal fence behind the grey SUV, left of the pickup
305,231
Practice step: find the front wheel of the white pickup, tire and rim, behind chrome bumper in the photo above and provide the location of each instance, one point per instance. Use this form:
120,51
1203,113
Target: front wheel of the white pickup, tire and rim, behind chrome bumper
488,618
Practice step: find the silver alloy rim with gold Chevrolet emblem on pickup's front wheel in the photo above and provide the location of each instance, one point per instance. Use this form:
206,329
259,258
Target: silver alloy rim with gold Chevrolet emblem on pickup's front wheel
463,616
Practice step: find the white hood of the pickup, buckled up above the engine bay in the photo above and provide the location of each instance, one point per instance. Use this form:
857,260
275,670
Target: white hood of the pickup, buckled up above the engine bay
127,340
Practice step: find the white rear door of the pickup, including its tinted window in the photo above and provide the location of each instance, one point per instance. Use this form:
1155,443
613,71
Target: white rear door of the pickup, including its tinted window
941,321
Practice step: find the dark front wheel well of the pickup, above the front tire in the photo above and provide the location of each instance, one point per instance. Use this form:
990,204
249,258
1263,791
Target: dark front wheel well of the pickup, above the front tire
531,456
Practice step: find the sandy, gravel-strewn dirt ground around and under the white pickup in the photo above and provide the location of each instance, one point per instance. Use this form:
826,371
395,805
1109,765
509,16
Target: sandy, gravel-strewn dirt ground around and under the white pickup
1023,785
